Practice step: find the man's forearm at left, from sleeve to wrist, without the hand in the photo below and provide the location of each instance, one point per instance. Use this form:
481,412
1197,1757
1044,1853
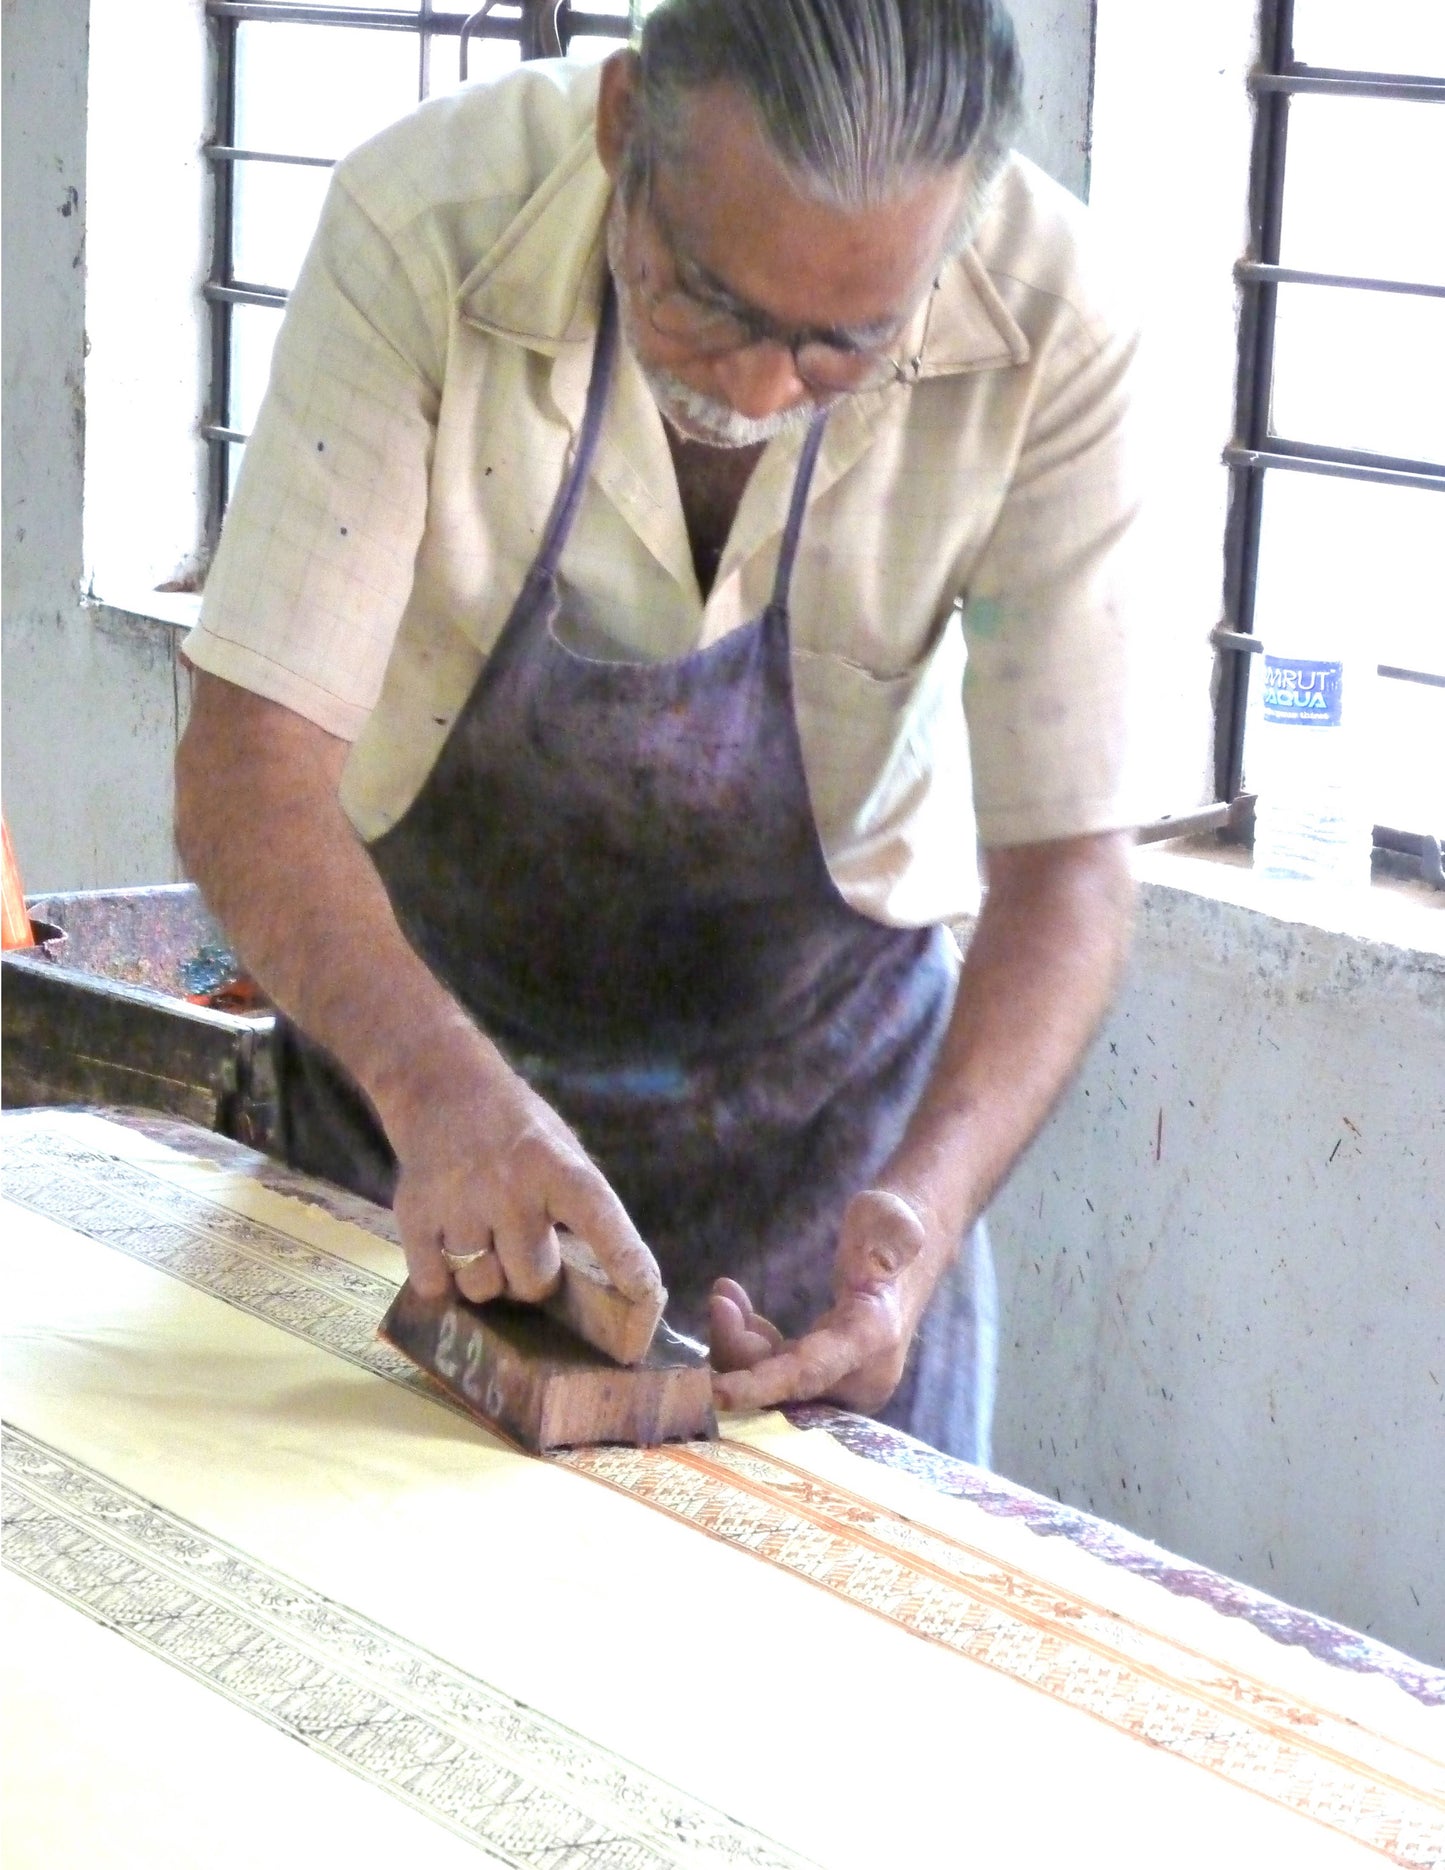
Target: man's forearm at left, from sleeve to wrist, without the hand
263,833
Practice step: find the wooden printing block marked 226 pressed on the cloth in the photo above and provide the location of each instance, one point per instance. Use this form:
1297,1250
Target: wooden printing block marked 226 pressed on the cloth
522,1372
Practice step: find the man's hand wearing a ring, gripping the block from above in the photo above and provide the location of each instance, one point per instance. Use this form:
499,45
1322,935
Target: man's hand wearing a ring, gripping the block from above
485,1166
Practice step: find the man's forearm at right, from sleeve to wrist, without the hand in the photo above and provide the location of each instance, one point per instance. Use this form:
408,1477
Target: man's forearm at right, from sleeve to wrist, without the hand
1037,981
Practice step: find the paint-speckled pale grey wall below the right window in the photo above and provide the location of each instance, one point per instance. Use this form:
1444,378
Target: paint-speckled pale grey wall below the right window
1223,1265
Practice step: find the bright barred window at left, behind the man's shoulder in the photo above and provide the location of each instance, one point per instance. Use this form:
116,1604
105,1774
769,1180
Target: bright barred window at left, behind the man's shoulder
279,132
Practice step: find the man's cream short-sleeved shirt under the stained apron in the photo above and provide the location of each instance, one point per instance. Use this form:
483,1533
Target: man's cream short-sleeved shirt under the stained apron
964,601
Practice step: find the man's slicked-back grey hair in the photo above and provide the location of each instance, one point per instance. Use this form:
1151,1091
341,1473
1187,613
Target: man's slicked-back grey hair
859,98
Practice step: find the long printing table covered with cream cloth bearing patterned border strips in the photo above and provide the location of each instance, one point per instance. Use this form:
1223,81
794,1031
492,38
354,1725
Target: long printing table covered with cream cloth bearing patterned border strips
235,1521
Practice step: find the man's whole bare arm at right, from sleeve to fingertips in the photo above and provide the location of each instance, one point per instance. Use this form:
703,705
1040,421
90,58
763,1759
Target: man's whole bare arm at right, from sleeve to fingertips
1035,983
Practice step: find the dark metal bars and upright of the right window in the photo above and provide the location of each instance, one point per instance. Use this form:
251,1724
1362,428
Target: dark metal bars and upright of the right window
1255,452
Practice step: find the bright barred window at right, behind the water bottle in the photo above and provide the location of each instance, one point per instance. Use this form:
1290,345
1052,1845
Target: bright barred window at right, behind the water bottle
1339,455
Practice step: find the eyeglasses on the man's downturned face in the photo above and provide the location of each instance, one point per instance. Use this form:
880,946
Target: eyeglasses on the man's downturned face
711,326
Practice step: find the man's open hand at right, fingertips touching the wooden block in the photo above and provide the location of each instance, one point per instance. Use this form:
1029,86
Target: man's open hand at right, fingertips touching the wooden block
857,1351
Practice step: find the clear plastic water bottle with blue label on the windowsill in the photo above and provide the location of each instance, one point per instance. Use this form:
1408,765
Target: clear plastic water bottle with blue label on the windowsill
1311,822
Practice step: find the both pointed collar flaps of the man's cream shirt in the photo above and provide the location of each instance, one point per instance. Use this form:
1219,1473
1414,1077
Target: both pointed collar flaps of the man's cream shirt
541,283
